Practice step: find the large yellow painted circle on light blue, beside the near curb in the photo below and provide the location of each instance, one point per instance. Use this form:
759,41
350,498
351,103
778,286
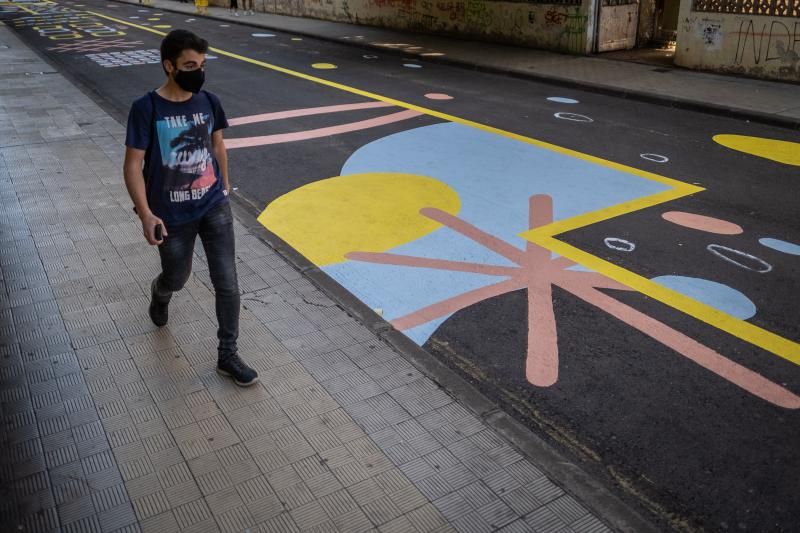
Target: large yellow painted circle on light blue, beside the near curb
375,212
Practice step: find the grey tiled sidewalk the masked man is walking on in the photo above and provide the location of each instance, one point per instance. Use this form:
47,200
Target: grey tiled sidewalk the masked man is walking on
110,424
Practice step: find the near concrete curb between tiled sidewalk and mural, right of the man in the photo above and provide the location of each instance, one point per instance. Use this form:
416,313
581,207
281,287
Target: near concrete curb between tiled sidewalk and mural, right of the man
616,513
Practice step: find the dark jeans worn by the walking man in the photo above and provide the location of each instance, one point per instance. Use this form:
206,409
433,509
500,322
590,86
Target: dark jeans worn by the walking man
216,233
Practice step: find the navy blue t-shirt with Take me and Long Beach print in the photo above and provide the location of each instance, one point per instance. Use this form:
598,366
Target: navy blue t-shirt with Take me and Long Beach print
182,175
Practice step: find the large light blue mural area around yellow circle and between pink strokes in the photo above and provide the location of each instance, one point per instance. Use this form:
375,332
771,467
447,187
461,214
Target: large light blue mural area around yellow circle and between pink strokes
494,176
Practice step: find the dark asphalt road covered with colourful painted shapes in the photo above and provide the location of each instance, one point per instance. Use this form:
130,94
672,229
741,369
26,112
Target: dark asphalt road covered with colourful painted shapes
687,442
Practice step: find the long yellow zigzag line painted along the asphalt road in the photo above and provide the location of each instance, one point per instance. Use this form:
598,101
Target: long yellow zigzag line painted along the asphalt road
543,236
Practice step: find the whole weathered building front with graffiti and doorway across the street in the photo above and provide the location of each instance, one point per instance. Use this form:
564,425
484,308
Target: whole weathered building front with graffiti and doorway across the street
758,38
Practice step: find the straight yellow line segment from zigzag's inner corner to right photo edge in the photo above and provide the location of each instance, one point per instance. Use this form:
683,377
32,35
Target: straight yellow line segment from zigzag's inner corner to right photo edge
746,331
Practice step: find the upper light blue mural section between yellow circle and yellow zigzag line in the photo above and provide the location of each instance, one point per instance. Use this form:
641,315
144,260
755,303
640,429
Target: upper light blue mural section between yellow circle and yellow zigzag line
495,176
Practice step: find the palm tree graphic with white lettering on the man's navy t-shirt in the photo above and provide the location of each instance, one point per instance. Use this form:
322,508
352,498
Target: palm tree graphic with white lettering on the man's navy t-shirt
185,142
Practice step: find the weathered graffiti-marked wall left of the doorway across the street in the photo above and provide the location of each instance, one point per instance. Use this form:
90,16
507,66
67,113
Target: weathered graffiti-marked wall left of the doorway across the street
545,26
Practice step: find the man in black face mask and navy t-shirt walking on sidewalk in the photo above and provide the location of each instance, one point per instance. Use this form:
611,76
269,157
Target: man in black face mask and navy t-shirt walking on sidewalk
176,172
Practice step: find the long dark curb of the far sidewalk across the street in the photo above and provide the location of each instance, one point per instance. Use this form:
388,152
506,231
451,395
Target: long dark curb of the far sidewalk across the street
769,119
